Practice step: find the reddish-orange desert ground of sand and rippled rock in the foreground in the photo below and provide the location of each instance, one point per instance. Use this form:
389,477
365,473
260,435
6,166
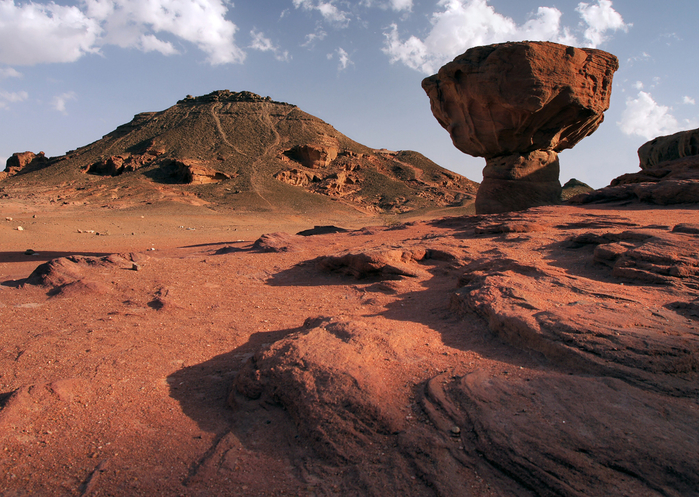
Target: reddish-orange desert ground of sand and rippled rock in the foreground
546,352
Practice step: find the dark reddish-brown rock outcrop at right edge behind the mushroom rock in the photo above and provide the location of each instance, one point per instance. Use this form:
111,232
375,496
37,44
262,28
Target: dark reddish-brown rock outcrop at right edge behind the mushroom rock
669,174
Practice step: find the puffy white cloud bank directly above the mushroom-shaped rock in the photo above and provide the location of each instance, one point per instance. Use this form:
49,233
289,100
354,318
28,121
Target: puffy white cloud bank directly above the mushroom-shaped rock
462,24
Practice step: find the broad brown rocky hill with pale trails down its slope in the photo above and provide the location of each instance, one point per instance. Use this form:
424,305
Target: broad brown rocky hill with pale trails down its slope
247,152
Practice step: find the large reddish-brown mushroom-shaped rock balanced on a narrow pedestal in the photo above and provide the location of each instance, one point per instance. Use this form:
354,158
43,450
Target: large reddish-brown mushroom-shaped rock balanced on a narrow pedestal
518,105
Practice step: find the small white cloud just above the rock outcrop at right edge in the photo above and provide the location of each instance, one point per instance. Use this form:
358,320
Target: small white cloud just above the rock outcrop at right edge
644,117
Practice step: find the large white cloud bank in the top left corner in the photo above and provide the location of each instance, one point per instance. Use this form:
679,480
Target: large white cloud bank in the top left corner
34,33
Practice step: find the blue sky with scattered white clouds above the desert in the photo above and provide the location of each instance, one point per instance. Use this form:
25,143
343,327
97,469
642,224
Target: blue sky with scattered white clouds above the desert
71,72
